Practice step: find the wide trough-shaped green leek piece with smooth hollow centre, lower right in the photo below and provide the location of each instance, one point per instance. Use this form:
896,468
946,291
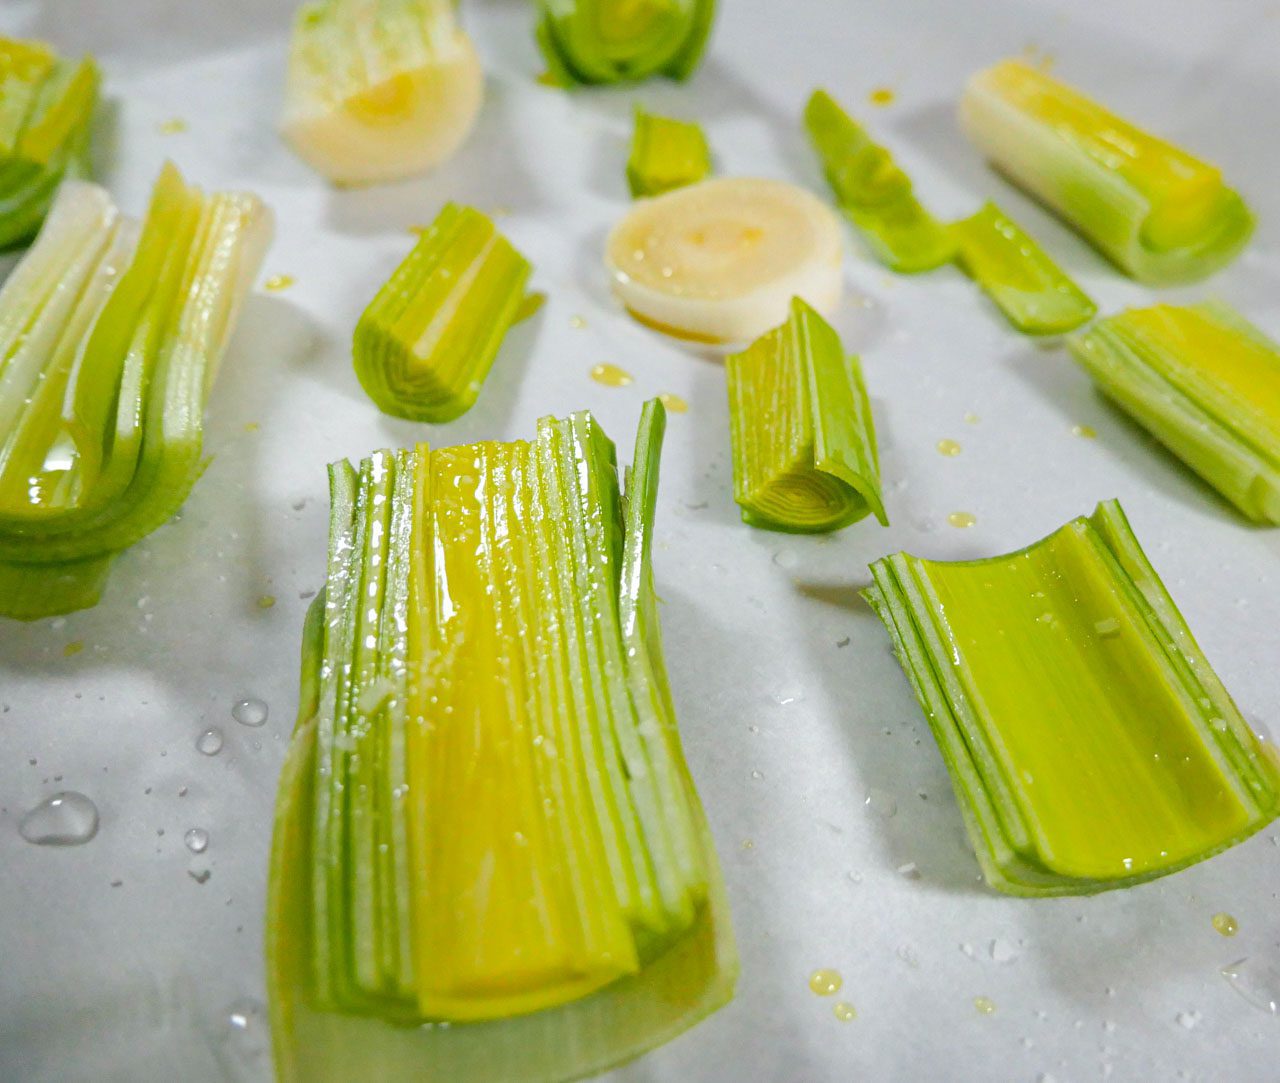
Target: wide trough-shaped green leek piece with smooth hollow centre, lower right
1090,742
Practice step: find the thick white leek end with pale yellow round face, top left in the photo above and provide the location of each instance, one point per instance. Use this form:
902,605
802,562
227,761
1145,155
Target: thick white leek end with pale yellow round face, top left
380,89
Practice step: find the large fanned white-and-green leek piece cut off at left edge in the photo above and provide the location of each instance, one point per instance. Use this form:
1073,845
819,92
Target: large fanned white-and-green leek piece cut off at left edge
111,335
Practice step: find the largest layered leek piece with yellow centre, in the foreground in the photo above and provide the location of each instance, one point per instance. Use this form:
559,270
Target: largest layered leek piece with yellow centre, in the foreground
486,819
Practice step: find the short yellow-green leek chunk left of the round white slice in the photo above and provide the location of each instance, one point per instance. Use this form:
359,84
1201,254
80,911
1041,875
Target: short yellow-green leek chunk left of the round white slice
427,342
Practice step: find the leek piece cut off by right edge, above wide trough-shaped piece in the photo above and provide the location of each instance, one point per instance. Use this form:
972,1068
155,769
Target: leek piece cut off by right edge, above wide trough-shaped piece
1206,383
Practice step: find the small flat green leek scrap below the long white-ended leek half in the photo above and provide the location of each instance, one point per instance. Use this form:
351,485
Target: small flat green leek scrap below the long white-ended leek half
1027,286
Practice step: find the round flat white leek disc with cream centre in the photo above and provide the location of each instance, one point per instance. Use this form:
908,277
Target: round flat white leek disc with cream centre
720,262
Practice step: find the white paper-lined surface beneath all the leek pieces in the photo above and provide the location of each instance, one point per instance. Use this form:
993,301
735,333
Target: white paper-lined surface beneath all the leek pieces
122,961
